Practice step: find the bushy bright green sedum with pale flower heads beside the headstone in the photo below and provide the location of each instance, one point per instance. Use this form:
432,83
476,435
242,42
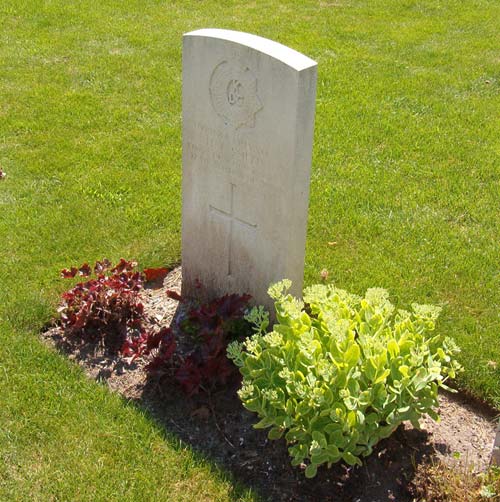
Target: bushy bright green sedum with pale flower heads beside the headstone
338,373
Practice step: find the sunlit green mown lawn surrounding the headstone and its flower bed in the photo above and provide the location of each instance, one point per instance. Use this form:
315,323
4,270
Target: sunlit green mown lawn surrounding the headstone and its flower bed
406,181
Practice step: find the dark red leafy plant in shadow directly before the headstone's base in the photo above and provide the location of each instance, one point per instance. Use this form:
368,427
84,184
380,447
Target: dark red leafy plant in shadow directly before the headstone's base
201,362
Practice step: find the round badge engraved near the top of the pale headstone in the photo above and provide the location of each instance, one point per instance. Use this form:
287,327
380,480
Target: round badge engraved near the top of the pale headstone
233,92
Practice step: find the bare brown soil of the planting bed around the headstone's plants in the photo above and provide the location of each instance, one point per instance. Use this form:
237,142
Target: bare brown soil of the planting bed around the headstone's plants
221,429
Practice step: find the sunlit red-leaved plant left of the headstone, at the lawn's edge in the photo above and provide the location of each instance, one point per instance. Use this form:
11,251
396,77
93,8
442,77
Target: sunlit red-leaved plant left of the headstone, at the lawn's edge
107,308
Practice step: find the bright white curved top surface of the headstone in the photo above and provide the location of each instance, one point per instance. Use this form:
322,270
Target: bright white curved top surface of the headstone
290,57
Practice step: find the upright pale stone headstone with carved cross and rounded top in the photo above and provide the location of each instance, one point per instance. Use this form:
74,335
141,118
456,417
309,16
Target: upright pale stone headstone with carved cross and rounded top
248,116
